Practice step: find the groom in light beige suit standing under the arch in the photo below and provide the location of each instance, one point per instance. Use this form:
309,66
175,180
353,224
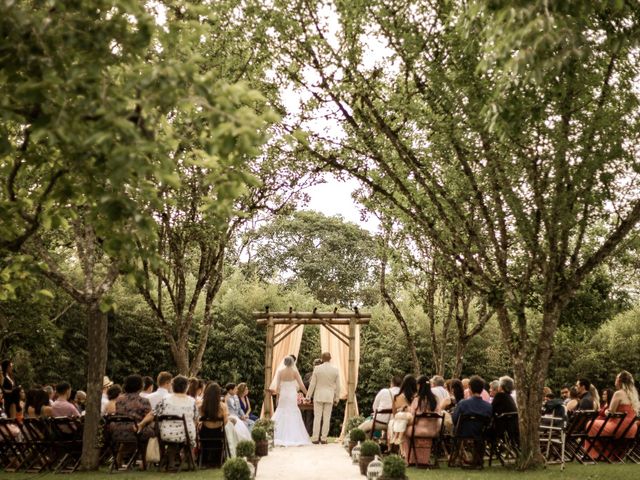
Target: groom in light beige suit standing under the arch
324,388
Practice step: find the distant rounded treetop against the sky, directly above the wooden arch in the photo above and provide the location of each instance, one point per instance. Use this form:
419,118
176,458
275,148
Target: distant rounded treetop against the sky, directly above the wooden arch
333,258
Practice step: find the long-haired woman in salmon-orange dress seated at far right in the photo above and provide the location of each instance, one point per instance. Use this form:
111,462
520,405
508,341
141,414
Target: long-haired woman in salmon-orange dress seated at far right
624,400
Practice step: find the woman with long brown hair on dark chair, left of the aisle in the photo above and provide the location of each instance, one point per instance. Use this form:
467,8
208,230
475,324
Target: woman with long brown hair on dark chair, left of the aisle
213,418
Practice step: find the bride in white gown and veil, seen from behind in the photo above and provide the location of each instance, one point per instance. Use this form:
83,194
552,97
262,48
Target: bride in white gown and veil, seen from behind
289,429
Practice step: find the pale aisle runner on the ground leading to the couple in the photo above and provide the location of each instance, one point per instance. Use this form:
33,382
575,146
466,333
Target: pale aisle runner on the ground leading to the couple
316,462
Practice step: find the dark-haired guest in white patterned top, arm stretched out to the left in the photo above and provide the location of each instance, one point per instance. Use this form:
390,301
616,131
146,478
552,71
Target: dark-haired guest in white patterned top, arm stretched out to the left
178,403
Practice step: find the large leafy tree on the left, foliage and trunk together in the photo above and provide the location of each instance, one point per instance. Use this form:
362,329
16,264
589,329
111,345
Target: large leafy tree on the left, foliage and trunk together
87,128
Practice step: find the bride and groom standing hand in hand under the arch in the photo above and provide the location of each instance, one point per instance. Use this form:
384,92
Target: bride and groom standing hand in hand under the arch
324,388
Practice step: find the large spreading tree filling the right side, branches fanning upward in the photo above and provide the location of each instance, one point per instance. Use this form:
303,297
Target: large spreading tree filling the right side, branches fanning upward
516,163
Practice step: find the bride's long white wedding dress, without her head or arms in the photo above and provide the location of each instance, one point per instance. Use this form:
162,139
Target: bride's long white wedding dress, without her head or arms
289,429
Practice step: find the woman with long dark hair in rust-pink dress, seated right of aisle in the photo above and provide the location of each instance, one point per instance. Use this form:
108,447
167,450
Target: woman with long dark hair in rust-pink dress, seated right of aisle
425,429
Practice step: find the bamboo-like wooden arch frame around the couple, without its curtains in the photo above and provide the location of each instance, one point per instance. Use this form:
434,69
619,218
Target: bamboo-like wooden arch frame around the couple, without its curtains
294,320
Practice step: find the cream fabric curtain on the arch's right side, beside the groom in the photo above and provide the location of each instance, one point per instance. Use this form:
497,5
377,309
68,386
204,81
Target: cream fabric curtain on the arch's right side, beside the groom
340,359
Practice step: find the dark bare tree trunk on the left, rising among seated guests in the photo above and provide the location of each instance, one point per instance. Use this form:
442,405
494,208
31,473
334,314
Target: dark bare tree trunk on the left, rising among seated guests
97,326
